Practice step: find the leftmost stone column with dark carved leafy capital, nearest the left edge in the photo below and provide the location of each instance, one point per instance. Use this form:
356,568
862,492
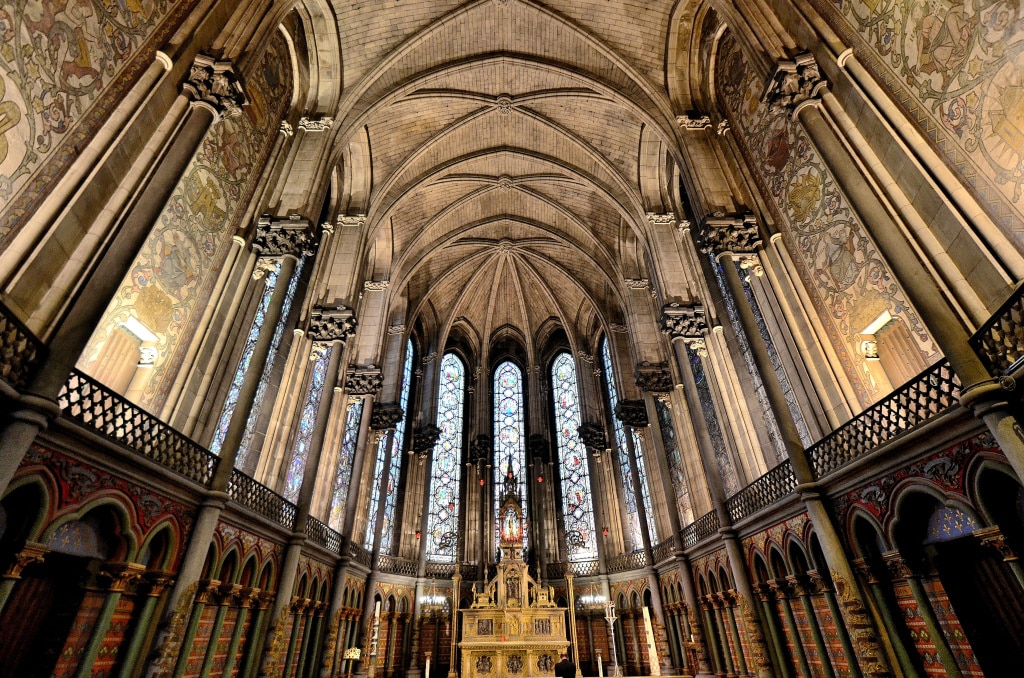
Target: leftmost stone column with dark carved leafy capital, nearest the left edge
214,92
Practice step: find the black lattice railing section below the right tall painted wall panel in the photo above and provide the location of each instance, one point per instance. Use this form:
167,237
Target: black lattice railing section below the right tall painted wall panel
931,394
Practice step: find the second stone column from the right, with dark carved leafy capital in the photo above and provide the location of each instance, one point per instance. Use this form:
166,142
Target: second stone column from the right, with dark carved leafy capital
726,237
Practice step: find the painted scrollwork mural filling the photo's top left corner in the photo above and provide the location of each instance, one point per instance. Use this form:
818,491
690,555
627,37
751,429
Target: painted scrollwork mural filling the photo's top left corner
65,65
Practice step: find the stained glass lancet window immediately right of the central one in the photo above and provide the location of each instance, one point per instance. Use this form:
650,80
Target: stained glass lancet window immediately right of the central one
577,505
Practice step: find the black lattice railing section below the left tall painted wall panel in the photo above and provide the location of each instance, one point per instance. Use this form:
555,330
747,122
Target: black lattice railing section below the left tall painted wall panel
86,401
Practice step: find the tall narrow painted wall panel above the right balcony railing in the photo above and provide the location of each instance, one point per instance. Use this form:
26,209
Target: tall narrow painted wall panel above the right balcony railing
845,275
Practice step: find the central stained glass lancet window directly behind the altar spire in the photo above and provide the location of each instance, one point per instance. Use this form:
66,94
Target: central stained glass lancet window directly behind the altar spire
510,448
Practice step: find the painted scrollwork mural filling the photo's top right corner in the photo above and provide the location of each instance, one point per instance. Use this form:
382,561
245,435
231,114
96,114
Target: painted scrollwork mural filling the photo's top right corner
957,69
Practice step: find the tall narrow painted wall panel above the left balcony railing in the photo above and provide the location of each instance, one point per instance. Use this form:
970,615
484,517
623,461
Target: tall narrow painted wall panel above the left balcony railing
175,275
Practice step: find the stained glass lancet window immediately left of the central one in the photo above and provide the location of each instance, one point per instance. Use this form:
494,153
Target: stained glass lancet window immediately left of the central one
443,522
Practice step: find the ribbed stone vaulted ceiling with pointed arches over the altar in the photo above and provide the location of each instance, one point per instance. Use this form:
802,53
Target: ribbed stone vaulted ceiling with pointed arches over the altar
508,153
